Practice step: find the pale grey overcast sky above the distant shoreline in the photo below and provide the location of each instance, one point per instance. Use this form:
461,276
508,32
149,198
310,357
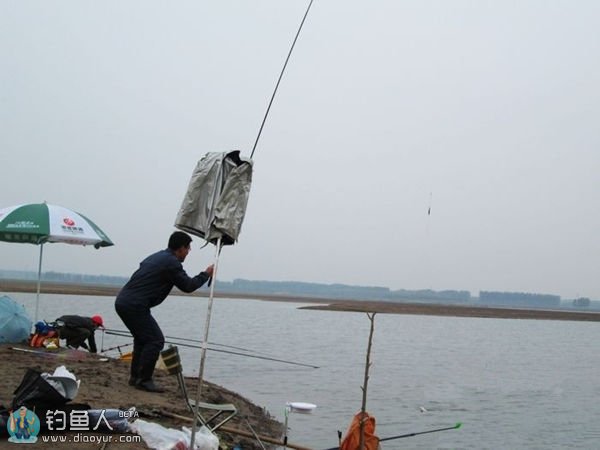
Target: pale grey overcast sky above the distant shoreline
487,111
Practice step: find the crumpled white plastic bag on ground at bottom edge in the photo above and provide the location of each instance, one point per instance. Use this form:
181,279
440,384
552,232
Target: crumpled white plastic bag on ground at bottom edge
160,438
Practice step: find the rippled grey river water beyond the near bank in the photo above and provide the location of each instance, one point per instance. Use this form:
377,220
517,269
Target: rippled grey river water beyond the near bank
513,384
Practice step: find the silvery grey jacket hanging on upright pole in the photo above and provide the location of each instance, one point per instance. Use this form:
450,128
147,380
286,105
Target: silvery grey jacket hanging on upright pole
215,202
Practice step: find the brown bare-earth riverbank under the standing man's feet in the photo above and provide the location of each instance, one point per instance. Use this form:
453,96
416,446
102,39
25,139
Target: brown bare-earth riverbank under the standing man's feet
104,386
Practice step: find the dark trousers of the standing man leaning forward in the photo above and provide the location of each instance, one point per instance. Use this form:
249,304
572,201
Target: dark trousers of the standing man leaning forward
148,341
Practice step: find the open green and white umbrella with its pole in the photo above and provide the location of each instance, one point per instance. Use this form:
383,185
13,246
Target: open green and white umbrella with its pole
41,223
